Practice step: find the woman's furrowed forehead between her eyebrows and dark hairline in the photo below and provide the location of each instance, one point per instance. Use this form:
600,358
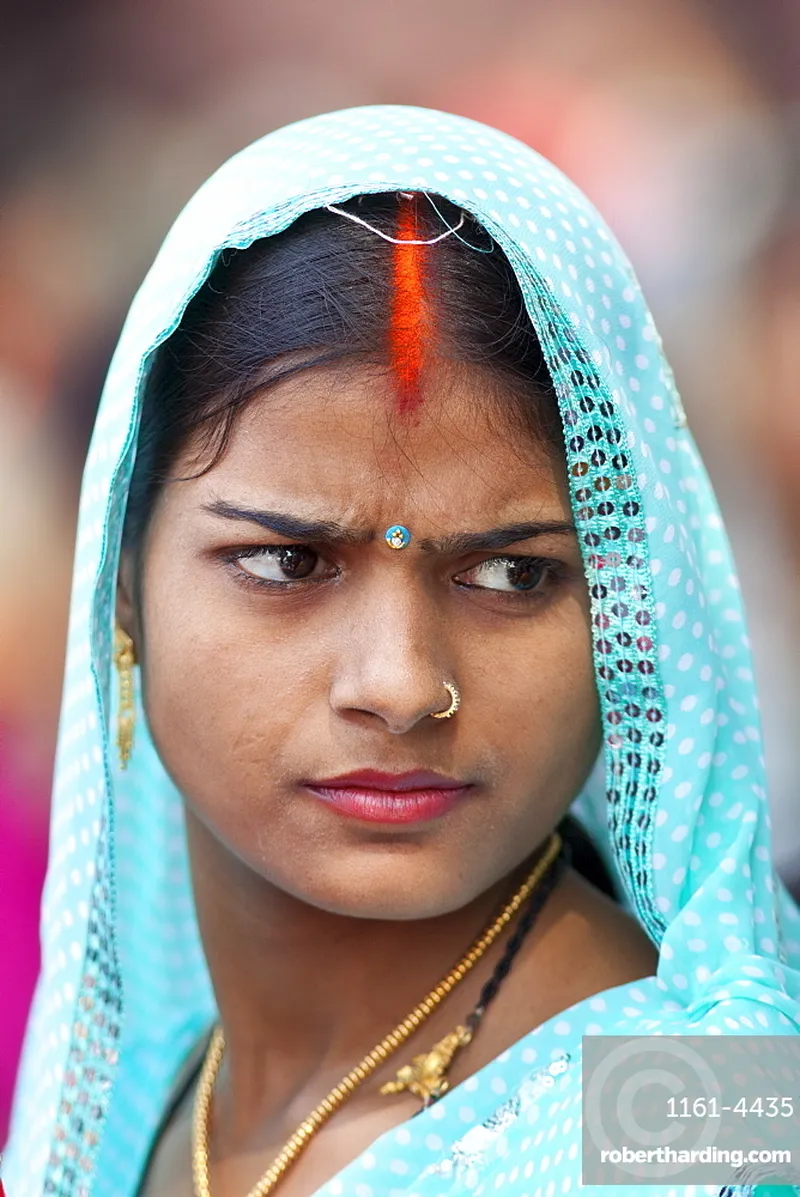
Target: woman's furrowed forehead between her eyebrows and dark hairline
334,435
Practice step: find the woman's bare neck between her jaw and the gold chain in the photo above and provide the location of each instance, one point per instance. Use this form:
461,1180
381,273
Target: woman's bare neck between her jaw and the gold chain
304,993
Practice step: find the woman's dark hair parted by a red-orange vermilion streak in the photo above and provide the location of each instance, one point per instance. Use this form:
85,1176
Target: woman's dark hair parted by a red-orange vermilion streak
320,293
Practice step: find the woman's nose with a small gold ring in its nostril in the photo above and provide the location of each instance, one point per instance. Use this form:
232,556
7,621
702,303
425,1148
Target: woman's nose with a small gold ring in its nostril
395,659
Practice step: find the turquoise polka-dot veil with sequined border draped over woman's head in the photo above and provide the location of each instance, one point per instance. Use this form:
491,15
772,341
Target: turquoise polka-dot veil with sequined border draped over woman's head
678,805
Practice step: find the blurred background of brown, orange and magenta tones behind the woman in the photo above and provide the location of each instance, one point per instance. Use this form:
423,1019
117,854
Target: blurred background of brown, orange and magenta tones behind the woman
681,119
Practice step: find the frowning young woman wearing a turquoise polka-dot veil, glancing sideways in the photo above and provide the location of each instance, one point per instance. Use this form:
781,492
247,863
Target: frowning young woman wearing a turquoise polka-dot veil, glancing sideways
437,739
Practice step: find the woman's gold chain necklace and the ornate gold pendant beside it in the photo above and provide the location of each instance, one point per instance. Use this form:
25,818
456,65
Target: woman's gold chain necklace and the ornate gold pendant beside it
433,1065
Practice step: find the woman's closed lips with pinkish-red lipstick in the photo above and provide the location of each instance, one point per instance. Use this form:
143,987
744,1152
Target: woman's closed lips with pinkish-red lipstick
374,797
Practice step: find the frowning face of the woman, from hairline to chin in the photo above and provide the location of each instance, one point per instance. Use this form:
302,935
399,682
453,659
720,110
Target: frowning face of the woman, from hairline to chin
275,661
